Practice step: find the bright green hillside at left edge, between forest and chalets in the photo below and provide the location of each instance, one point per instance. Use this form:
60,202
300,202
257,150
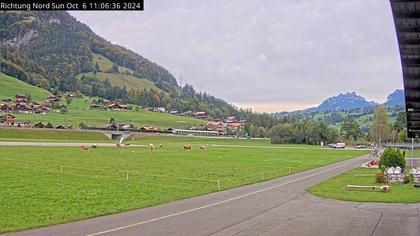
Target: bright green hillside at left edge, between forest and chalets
10,86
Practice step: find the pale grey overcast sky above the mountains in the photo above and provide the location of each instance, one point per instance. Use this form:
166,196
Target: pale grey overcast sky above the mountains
268,55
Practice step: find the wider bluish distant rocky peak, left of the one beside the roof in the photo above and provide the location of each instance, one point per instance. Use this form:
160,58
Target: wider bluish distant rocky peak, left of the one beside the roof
343,102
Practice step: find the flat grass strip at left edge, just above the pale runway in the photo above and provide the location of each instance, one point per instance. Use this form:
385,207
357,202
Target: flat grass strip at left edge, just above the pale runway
49,135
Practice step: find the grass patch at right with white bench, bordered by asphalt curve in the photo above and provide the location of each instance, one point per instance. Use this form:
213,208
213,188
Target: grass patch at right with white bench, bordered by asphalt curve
335,189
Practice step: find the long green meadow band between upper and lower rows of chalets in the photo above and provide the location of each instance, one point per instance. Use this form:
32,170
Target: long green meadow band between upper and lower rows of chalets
79,111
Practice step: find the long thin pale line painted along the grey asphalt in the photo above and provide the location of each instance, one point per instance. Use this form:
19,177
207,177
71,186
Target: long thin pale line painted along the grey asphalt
217,203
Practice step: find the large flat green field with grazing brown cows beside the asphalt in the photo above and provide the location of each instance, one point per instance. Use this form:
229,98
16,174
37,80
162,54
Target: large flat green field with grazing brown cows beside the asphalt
51,185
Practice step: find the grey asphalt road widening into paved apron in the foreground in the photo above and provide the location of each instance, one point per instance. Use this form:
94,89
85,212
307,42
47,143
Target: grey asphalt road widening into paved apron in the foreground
276,207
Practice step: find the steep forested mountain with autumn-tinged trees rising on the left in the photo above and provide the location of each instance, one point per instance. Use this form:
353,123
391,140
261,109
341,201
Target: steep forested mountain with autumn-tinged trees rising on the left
54,51
